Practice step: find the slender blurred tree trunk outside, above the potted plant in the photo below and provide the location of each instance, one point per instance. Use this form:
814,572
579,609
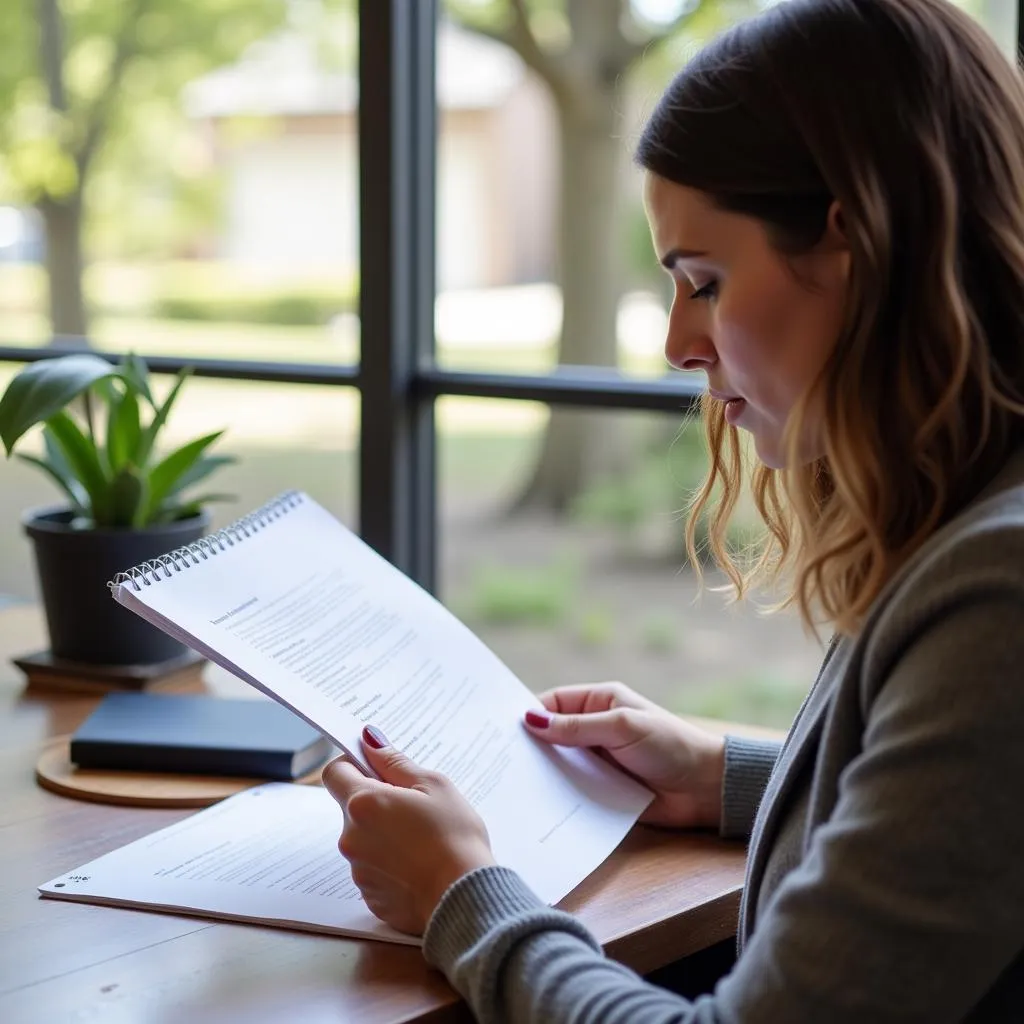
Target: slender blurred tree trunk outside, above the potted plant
63,221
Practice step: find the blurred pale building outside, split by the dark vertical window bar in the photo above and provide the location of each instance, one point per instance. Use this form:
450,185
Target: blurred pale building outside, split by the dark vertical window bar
283,133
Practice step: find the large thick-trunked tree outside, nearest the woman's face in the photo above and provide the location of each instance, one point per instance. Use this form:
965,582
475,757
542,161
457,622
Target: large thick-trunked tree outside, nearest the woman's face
584,51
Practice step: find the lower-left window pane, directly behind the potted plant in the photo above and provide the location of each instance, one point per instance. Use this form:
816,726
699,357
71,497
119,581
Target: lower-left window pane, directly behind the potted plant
284,437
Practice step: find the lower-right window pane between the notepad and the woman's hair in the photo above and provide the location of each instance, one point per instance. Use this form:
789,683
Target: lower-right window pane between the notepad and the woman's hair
603,590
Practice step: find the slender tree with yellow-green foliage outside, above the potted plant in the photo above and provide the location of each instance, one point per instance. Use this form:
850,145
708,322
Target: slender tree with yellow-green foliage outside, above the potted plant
70,76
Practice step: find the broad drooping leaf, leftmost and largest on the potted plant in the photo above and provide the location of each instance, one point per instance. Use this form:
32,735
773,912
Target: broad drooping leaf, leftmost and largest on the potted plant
45,389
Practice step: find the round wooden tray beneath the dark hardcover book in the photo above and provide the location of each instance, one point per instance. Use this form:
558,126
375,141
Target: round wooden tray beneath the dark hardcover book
55,772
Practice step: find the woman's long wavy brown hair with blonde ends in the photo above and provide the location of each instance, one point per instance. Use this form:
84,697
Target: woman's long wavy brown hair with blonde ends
906,113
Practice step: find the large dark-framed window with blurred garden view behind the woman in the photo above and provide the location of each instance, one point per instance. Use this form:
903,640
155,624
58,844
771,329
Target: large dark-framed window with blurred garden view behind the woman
422,422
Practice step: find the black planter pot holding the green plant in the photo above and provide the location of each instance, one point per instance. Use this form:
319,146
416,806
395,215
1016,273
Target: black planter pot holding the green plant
74,566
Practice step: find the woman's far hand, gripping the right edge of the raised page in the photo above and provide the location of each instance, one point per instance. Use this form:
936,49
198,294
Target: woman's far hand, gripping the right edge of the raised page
681,763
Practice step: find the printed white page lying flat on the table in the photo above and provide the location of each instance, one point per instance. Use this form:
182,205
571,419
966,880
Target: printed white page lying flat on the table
269,856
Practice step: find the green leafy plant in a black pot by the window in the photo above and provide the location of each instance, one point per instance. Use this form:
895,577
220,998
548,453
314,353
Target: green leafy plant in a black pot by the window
125,502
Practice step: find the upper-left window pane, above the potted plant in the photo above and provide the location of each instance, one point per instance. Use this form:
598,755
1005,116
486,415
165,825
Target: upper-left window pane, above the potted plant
219,208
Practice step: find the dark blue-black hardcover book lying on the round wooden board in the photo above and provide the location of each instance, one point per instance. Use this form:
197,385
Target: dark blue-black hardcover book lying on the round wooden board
198,736
